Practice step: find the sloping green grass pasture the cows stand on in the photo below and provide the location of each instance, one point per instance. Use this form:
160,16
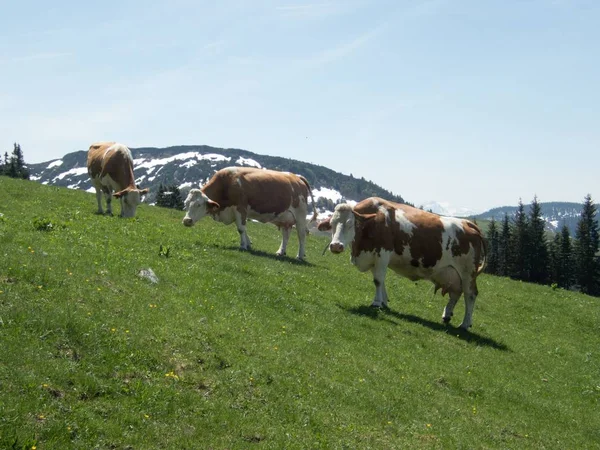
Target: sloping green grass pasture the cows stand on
238,349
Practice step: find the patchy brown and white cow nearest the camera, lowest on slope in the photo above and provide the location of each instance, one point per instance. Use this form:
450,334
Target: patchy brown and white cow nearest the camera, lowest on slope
416,244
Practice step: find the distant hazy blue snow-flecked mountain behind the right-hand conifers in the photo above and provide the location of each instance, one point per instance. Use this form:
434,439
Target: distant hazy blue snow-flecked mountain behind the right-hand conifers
556,214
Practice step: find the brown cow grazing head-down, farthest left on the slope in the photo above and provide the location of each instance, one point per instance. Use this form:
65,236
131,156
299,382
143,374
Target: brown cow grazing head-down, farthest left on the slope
110,166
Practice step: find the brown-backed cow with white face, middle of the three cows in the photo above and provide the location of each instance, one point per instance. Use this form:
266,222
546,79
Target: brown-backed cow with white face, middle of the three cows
236,194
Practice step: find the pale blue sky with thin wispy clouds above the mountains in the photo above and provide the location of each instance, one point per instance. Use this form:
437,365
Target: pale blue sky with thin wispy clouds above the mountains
478,103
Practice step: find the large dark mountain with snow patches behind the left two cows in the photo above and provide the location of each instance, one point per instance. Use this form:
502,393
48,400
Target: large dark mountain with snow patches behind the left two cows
192,166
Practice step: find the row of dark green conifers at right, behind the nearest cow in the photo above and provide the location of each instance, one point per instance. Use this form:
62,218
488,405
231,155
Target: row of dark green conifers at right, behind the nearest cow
518,247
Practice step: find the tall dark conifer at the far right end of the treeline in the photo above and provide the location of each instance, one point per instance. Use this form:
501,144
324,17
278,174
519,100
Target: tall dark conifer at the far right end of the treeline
586,247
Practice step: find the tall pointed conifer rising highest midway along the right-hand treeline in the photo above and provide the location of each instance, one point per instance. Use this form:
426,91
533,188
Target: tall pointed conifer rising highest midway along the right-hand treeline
537,251
